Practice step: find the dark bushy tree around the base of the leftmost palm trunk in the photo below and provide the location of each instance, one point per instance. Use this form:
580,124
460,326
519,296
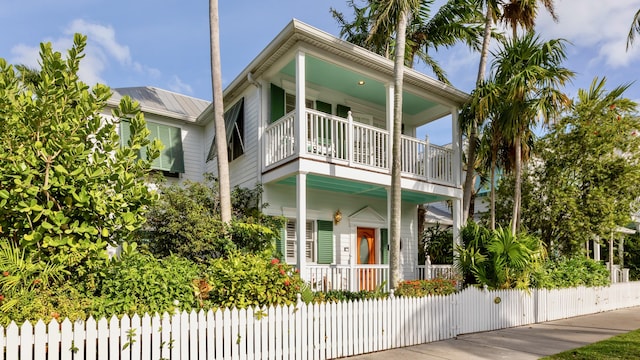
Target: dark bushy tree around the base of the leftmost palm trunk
186,221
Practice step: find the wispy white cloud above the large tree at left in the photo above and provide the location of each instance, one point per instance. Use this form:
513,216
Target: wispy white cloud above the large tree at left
102,50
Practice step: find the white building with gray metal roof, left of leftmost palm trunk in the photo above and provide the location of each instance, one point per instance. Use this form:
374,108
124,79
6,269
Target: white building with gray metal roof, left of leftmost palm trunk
172,118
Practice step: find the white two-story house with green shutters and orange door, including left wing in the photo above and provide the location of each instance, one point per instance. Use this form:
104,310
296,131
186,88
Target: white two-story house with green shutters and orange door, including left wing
309,118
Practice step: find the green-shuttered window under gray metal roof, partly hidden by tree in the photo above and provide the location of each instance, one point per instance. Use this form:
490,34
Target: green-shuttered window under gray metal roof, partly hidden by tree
171,159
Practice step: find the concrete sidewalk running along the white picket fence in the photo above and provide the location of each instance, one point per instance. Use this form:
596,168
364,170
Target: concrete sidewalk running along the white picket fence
525,342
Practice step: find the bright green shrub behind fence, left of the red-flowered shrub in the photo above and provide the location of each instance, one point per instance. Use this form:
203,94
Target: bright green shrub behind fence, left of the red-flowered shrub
140,283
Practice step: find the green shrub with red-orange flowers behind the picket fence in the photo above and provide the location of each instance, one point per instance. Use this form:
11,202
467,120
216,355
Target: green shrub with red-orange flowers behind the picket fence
243,280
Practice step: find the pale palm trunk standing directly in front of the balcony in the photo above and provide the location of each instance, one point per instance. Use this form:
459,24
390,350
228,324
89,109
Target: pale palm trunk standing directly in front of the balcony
396,191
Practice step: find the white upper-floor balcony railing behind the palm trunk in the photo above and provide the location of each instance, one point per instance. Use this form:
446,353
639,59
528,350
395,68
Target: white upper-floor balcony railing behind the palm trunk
344,142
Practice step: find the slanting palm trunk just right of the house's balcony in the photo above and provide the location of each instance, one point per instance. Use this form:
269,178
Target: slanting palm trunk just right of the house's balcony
473,134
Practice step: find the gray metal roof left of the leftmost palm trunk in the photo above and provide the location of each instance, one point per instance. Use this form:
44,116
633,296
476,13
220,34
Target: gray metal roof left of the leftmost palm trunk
162,102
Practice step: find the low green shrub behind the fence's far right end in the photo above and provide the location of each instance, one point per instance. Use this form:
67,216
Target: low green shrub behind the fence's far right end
571,272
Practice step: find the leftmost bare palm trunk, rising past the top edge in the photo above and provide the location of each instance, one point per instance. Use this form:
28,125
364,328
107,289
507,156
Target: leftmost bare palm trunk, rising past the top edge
218,114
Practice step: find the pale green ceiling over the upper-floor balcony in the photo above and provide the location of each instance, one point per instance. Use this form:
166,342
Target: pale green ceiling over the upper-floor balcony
340,79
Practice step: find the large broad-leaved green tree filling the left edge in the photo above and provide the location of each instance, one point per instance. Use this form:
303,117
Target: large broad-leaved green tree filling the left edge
67,186
